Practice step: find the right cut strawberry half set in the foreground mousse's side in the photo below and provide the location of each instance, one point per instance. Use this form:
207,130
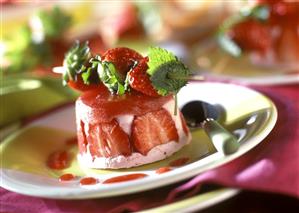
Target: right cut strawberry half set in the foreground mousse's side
152,129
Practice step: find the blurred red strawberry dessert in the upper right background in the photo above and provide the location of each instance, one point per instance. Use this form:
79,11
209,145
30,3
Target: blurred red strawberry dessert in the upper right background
267,30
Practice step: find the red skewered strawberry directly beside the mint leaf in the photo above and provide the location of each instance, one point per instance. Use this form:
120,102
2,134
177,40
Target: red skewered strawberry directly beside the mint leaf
140,80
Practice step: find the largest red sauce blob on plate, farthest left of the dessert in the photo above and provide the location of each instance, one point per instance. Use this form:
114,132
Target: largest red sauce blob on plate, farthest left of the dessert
58,160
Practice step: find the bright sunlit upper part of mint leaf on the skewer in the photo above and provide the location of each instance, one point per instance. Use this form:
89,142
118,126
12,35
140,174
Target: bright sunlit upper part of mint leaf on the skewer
158,56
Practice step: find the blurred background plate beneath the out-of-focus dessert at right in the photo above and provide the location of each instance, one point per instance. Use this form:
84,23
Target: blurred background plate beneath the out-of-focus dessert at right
214,63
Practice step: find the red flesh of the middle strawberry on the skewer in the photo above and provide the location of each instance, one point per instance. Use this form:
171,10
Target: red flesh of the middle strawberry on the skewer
123,58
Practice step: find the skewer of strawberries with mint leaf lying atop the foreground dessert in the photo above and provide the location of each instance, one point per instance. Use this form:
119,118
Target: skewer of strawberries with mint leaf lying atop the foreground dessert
122,69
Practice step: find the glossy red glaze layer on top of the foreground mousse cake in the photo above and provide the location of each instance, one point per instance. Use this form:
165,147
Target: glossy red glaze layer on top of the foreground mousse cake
100,105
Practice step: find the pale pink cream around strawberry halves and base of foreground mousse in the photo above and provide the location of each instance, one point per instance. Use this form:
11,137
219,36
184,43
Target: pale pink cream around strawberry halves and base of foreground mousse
157,153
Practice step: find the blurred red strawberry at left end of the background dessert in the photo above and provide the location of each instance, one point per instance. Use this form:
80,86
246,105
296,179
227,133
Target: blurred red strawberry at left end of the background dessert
251,35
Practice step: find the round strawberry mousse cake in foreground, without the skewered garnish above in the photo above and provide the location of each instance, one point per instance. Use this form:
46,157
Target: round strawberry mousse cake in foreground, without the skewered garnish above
127,131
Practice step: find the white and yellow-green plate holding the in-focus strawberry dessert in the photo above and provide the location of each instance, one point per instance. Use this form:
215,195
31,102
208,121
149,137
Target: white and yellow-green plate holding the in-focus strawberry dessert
24,153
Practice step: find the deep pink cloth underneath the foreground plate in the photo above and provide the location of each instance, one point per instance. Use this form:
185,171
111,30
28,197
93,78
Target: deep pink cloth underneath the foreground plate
272,166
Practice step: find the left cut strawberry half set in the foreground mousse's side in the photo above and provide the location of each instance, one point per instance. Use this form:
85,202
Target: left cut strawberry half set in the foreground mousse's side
108,140
